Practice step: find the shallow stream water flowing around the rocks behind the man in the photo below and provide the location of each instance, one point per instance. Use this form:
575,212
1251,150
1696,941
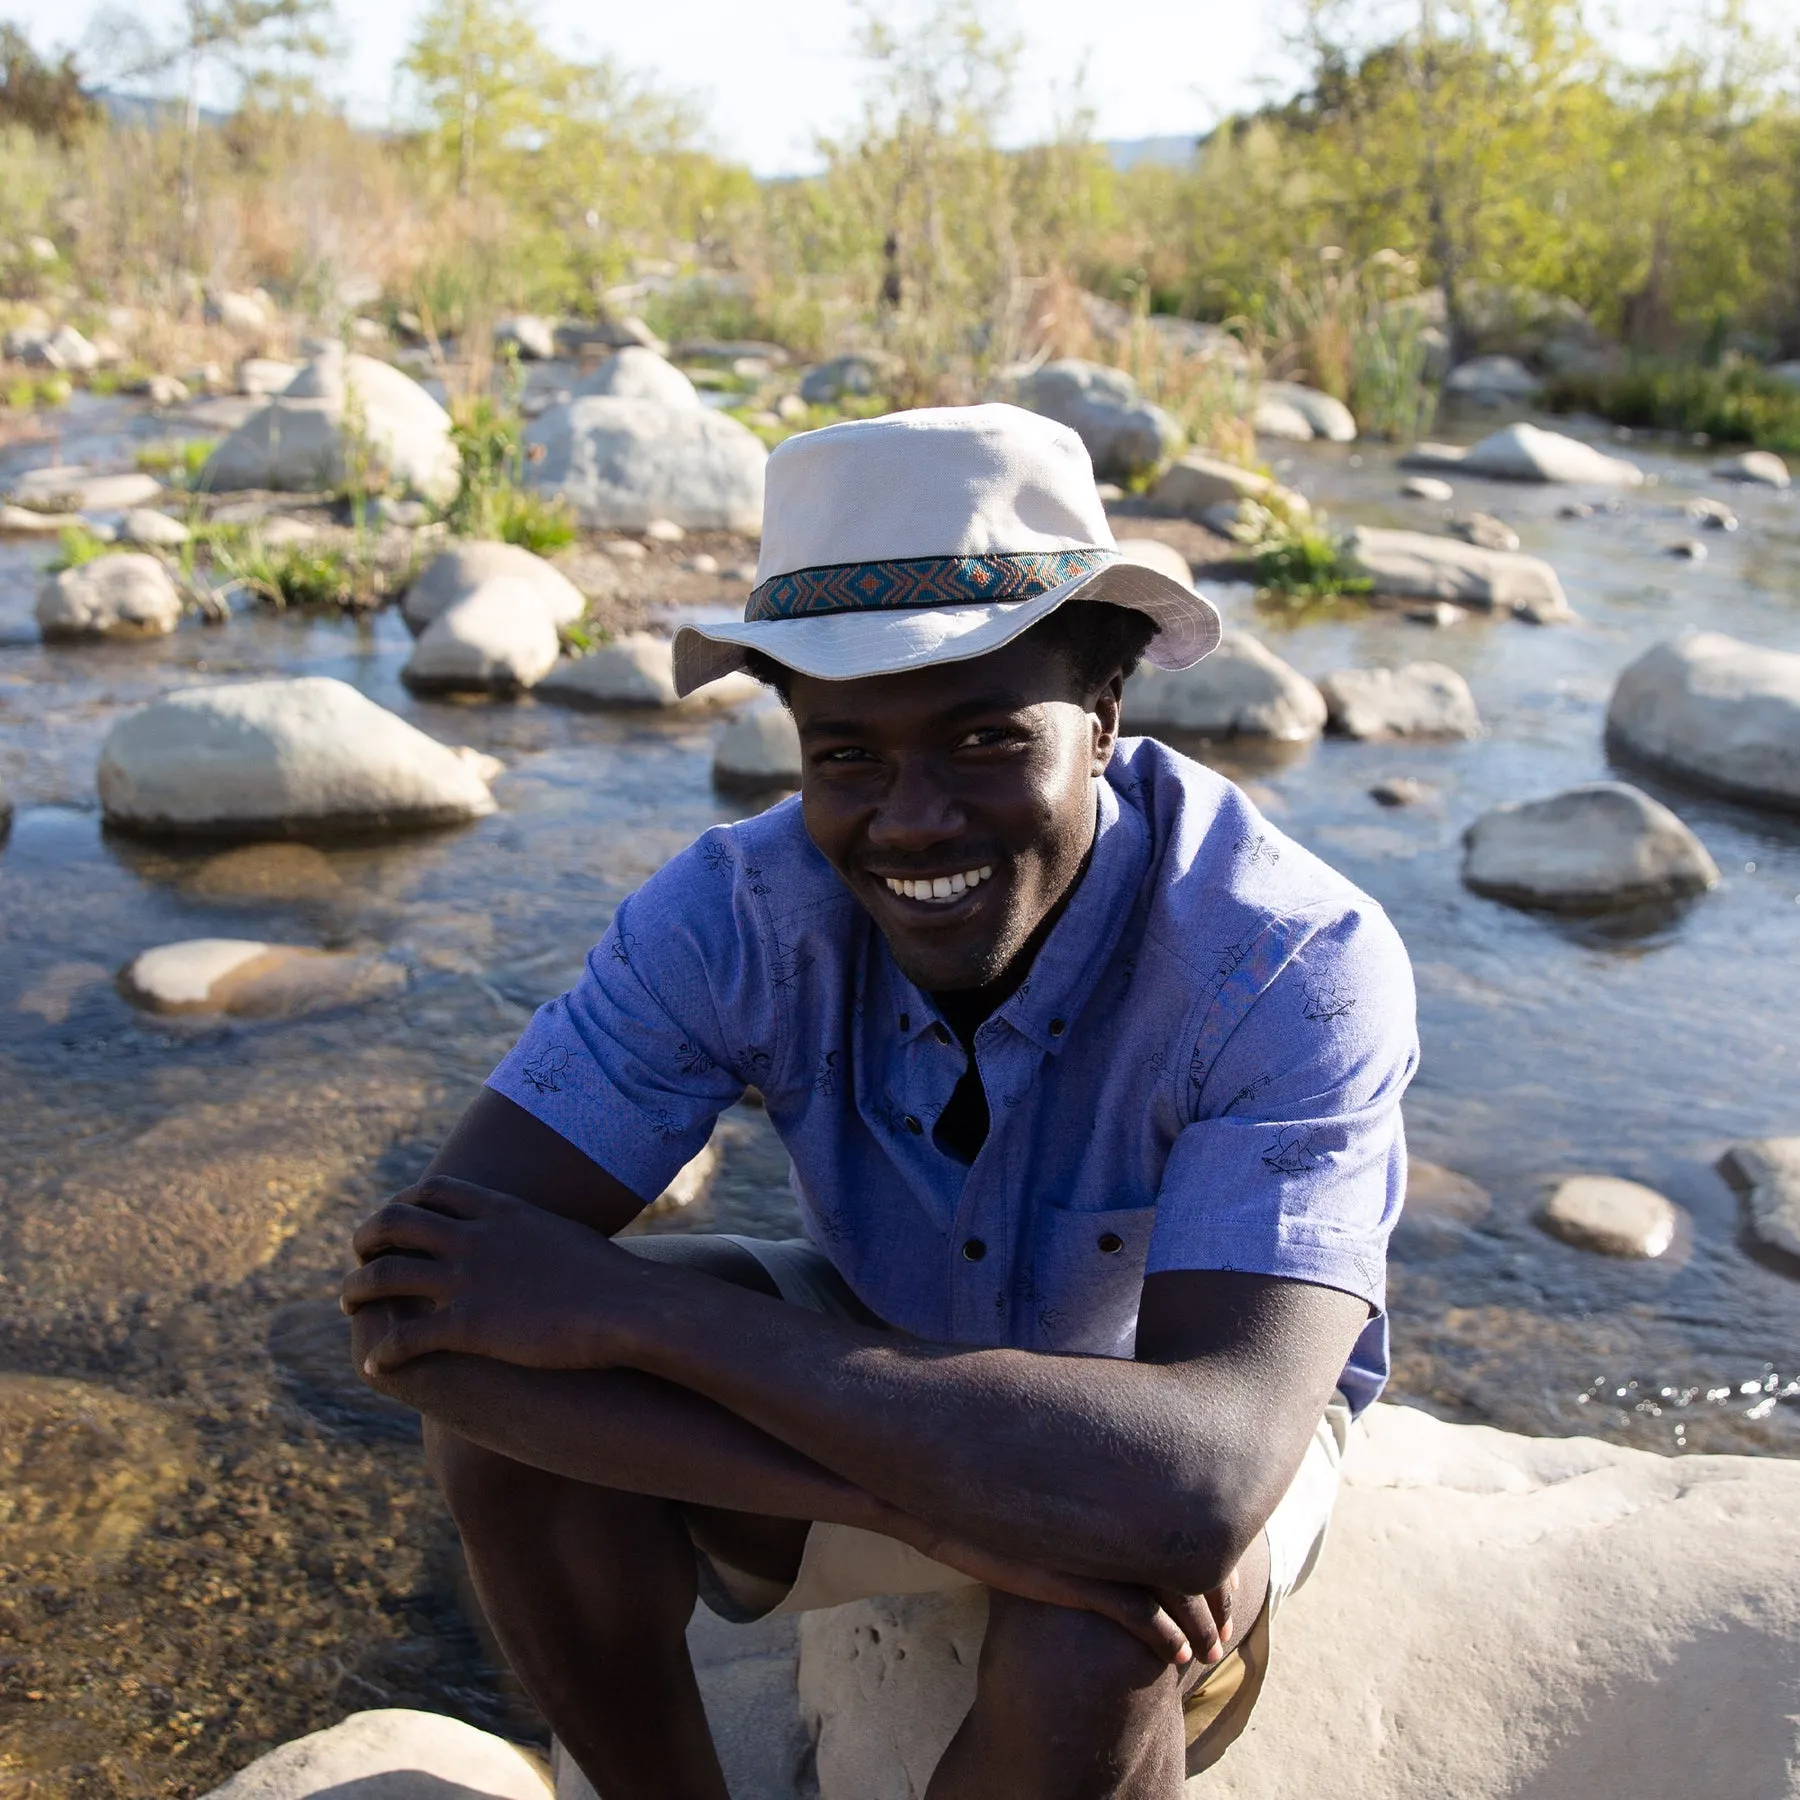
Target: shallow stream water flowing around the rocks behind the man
219,1540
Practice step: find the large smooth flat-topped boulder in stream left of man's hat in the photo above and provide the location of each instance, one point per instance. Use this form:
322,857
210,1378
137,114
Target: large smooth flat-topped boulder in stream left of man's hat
291,759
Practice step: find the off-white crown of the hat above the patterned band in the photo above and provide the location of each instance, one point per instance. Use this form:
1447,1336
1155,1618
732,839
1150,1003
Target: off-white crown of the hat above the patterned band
942,481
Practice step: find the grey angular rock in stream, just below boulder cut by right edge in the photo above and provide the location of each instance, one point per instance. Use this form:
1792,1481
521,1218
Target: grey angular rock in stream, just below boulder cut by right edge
1594,849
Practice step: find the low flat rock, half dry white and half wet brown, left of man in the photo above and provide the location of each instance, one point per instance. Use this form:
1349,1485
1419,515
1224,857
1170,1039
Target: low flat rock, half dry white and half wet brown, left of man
255,980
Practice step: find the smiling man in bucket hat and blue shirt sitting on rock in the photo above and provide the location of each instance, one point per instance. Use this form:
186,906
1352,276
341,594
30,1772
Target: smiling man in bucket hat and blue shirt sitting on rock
1092,1086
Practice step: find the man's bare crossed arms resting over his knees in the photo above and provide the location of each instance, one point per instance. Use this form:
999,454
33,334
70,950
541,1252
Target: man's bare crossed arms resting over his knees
1153,1473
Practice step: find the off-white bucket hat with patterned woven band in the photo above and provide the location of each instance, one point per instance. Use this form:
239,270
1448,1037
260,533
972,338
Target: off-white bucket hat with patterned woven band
931,537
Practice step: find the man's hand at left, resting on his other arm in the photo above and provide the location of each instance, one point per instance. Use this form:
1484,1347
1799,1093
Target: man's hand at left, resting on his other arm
449,1266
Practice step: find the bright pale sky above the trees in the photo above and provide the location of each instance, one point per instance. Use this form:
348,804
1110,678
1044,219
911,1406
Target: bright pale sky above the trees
773,78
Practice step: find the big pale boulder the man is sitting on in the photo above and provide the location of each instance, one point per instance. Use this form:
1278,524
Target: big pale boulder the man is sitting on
1538,1601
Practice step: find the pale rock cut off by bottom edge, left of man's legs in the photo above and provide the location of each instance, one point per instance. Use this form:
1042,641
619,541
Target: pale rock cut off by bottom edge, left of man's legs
393,1754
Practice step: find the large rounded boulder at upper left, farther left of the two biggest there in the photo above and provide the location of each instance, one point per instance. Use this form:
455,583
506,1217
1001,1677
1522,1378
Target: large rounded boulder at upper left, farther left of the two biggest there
300,440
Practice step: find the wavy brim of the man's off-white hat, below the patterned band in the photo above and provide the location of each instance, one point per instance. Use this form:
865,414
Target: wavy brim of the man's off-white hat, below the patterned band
856,645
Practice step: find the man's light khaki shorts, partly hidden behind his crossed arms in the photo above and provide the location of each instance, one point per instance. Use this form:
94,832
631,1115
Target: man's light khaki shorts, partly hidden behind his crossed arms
843,1563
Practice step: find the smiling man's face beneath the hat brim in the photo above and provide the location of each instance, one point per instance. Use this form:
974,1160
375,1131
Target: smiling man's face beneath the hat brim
955,802
